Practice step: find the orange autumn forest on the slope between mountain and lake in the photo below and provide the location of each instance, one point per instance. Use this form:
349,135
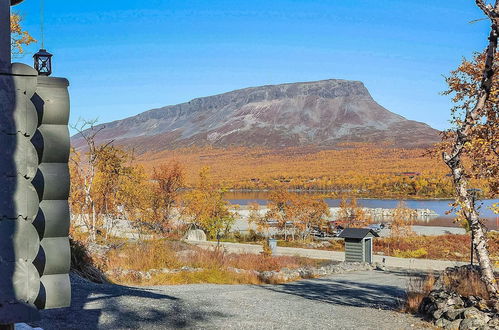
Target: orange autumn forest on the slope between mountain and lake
360,170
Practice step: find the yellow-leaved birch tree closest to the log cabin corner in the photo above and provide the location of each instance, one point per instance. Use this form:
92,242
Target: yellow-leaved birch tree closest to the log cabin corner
104,182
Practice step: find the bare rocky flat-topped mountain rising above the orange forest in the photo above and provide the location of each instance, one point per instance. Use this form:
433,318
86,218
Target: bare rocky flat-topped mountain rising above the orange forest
320,113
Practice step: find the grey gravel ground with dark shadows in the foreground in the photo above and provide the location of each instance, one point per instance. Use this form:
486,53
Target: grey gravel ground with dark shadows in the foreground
362,300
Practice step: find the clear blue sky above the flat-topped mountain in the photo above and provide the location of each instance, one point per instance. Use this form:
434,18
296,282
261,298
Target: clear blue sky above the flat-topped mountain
124,57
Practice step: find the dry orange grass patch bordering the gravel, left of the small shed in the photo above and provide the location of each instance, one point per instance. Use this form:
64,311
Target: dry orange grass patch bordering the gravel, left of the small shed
216,265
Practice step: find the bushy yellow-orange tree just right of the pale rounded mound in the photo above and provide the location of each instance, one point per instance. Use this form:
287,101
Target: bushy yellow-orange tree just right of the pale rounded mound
206,207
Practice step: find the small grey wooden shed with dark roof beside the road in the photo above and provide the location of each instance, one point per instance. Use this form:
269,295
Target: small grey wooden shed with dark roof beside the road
358,244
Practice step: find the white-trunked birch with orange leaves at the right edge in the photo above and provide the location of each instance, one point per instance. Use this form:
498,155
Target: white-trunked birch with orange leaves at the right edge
475,136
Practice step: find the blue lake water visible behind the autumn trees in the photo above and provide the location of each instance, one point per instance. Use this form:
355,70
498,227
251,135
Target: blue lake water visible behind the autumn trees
439,206
